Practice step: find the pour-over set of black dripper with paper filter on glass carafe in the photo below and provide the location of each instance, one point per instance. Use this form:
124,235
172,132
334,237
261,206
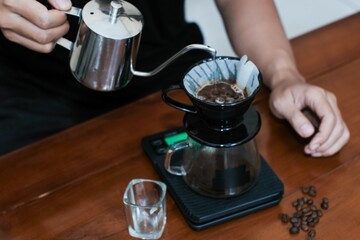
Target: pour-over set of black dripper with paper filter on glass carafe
220,157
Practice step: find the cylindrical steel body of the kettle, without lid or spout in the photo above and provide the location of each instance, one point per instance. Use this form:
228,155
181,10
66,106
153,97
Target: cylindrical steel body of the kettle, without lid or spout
102,63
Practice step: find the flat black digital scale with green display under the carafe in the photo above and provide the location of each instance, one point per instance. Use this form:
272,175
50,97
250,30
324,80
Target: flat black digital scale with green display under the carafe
201,211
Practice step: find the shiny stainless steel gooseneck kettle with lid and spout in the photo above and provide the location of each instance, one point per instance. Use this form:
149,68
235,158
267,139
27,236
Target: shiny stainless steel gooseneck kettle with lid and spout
104,53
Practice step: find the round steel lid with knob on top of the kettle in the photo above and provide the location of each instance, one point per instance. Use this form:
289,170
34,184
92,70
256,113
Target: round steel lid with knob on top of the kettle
113,19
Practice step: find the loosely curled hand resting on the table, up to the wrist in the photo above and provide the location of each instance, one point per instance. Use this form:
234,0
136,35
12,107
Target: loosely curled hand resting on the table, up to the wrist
287,101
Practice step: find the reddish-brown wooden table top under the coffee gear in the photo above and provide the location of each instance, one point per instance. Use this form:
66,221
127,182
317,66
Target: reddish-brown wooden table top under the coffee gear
70,186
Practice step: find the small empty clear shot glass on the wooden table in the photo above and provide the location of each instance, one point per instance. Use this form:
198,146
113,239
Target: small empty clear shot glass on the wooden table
145,208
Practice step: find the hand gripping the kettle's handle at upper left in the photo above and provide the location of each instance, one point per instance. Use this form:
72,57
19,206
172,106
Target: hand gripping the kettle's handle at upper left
32,25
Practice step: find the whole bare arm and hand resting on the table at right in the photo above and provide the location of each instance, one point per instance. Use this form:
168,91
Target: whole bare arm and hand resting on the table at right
265,43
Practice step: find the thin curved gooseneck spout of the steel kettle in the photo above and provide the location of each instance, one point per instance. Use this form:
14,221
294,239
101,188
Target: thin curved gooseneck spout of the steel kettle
190,47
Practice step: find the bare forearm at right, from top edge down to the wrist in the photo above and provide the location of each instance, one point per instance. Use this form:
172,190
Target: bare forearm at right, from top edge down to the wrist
254,29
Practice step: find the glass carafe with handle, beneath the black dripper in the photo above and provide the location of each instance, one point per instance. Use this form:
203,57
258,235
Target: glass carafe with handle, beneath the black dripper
216,171
